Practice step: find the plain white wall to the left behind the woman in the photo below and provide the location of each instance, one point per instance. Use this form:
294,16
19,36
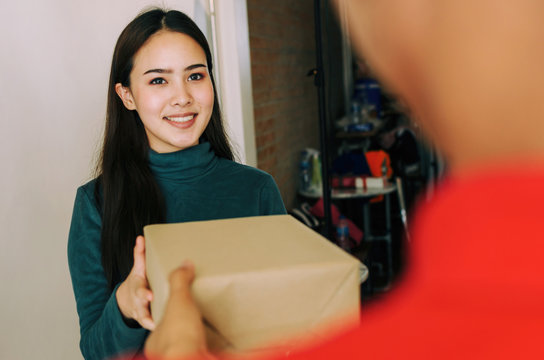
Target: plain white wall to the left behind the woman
54,66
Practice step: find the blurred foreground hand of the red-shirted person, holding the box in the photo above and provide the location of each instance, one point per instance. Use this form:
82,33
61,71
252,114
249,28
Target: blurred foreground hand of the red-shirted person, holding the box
181,331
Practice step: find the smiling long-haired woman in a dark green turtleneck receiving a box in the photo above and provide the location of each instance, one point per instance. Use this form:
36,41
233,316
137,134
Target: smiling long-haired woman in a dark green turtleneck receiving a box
165,158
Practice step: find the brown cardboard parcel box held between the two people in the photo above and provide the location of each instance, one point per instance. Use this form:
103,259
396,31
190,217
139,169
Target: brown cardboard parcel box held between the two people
260,281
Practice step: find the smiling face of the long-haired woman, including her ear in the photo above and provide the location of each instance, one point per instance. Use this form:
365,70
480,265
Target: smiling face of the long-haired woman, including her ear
171,89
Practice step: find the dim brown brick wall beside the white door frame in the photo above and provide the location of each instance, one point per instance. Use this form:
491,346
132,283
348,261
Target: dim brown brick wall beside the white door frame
282,45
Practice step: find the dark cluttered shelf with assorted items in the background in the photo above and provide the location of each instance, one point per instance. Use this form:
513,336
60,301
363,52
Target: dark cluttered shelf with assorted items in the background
375,168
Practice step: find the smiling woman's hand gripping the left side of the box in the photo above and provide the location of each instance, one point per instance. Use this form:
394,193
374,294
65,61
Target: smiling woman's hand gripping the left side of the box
134,295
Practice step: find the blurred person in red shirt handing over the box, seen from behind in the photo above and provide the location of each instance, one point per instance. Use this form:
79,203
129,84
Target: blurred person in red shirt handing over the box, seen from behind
472,73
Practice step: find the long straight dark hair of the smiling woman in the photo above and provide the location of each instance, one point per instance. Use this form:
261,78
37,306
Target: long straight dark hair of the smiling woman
128,195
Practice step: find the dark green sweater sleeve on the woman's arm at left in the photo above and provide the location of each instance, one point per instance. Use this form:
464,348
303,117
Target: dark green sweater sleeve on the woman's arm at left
103,332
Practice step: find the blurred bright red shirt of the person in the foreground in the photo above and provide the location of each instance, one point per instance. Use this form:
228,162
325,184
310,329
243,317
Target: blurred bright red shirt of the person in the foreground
474,288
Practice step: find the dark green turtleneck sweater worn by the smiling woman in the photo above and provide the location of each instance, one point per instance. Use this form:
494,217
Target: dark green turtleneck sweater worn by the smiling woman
197,185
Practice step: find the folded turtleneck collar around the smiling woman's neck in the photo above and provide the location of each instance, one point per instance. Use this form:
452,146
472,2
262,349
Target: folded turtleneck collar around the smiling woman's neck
184,164
